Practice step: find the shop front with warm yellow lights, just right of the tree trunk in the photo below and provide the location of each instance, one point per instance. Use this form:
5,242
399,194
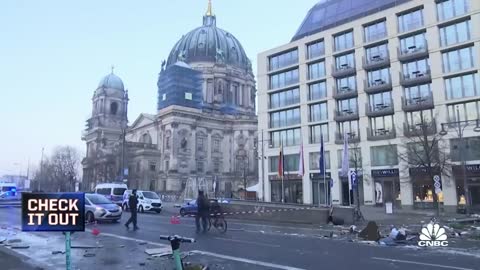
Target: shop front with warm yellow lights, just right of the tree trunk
423,189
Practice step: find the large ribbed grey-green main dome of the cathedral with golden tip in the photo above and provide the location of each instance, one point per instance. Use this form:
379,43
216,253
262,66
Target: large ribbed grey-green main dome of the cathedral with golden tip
208,43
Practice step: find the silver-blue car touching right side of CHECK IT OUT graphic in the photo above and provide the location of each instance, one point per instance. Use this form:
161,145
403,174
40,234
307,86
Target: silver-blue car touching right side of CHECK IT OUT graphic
97,207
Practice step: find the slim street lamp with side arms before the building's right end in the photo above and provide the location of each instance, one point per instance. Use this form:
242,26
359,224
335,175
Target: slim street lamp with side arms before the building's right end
460,126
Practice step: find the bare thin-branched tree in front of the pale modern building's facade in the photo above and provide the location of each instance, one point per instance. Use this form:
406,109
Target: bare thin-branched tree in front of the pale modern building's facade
424,152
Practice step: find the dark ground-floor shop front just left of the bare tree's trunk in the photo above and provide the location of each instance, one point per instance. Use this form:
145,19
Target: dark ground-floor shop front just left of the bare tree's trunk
387,187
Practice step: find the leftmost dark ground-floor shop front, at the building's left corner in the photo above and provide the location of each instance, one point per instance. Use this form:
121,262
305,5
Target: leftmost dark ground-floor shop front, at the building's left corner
292,188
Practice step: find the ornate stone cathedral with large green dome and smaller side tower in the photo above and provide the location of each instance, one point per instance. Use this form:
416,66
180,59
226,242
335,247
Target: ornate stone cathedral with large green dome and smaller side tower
205,125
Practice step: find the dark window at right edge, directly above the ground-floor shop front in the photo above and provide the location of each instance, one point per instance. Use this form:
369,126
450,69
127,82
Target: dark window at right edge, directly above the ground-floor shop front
466,149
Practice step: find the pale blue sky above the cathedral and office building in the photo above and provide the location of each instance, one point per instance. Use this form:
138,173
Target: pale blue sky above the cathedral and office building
54,53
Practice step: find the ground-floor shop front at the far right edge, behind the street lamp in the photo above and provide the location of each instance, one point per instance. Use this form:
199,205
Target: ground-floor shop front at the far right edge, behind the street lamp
472,174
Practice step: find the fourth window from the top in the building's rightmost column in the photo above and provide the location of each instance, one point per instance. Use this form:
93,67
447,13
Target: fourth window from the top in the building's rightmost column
463,86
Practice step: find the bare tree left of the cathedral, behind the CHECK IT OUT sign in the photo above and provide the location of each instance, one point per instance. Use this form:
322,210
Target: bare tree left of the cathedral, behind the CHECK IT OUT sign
60,171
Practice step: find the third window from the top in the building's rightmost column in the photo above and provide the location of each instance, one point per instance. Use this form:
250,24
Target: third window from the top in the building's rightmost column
458,60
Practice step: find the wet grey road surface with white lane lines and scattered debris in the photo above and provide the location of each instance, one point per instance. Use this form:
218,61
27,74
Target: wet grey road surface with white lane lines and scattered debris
244,246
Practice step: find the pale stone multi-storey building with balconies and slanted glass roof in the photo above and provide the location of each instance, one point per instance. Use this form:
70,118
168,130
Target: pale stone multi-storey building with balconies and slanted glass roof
388,73
